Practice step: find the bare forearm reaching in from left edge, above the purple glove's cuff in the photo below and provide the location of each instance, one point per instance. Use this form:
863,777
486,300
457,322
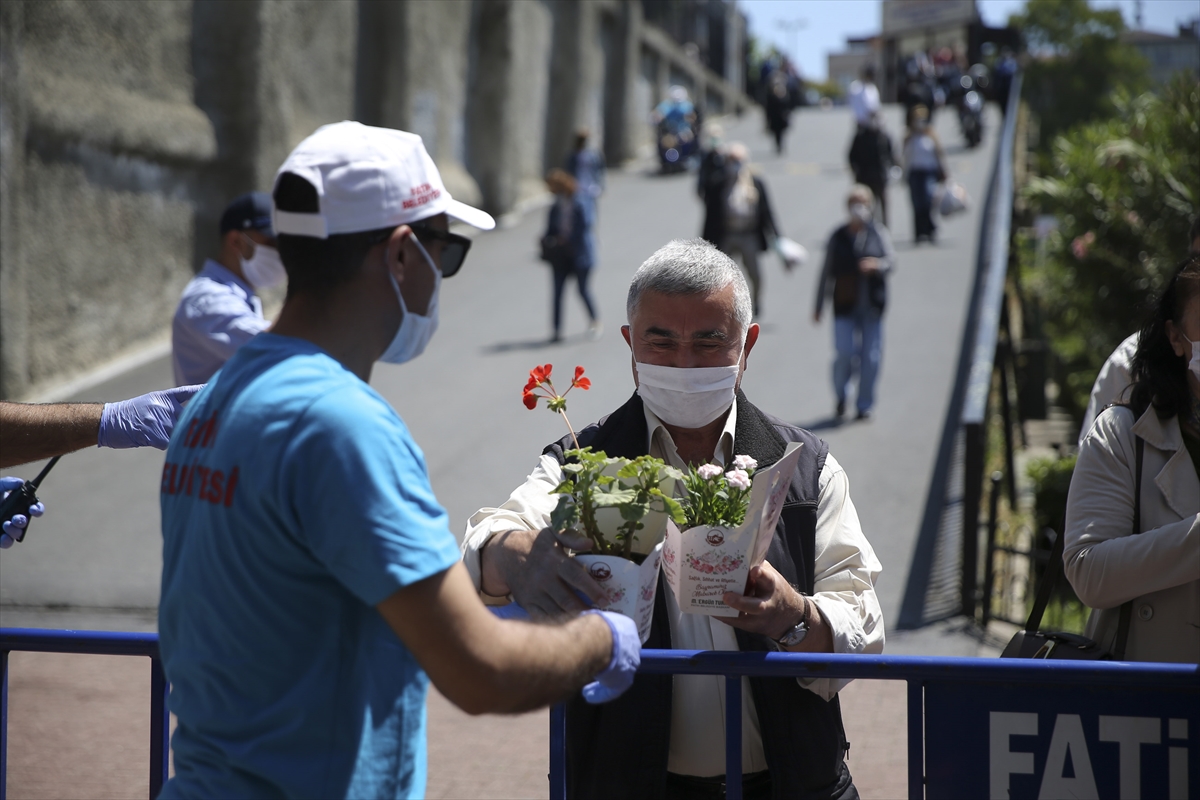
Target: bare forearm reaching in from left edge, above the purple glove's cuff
34,432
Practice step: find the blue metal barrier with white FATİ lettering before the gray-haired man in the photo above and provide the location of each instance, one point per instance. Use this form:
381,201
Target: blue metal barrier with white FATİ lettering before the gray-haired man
963,713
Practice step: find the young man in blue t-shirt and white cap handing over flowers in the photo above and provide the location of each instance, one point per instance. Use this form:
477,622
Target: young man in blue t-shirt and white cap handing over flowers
310,579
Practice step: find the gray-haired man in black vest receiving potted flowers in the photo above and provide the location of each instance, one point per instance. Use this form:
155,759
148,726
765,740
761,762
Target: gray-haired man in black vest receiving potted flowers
691,334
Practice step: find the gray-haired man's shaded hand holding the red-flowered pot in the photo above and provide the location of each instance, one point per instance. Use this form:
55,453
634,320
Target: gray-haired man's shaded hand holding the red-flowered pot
535,568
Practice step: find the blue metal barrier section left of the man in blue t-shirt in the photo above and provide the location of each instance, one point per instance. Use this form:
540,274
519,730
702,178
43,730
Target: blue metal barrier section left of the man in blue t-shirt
93,643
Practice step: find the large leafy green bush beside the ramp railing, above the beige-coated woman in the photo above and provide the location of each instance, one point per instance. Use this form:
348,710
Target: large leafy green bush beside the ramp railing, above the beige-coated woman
1125,193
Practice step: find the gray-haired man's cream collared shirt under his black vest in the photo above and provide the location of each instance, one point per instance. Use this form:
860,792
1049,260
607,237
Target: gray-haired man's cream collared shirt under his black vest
845,573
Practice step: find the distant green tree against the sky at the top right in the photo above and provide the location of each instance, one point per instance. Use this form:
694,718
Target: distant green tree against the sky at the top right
1077,63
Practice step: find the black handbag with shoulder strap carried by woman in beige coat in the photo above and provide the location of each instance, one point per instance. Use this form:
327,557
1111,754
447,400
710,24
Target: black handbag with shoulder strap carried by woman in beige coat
1033,643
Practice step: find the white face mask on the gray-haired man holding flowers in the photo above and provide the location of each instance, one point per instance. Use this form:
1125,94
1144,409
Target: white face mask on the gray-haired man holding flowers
687,399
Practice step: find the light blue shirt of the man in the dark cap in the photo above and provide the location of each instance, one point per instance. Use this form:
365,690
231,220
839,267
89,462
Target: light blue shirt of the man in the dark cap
218,314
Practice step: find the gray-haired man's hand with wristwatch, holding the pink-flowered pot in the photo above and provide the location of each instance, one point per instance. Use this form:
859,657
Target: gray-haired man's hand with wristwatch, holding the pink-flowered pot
773,607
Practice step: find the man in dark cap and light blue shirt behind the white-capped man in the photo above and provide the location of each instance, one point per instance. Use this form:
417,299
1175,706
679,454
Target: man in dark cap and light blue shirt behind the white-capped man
220,309
